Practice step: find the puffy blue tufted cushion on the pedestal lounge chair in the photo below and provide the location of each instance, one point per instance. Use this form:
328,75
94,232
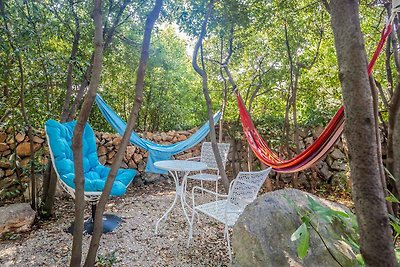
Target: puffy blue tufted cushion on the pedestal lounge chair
60,141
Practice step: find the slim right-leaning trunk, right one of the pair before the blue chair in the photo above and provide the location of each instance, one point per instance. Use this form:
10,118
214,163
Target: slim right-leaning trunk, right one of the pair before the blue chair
98,221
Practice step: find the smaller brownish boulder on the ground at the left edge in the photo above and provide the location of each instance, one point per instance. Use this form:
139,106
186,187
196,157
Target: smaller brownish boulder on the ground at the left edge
16,218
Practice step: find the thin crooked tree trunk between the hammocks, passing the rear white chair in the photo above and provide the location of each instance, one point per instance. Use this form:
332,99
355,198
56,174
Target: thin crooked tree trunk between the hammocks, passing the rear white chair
203,75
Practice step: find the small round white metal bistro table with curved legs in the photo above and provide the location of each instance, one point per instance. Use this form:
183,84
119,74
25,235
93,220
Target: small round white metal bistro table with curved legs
174,167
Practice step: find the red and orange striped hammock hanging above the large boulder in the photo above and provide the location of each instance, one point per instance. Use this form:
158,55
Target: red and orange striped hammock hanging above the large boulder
318,149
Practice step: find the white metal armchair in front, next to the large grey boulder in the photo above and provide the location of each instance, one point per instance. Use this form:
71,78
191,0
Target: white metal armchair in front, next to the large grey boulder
242,191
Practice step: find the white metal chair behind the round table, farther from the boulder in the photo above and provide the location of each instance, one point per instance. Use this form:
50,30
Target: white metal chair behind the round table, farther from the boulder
207,156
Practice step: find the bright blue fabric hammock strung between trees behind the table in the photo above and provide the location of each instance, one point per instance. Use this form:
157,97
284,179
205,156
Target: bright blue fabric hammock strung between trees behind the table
156,151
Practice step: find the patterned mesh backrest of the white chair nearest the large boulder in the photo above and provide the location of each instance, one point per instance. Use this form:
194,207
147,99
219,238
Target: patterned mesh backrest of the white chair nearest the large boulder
245,187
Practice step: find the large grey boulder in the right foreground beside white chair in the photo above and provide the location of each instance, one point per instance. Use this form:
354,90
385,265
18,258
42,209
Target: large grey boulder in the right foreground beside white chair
261,236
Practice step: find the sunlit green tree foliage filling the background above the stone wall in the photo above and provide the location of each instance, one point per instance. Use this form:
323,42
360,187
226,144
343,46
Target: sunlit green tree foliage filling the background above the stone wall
43,34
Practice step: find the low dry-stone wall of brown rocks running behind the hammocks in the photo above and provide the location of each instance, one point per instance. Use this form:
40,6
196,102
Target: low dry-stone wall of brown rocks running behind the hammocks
14,169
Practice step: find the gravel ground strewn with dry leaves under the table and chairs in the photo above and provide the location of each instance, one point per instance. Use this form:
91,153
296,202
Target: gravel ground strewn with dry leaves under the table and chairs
133,244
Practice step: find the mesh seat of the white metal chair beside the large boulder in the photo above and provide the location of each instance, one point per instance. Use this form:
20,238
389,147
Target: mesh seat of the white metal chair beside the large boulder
221,212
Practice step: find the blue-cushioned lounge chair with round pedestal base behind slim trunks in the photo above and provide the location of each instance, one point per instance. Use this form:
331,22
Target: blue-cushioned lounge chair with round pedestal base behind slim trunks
59,138
